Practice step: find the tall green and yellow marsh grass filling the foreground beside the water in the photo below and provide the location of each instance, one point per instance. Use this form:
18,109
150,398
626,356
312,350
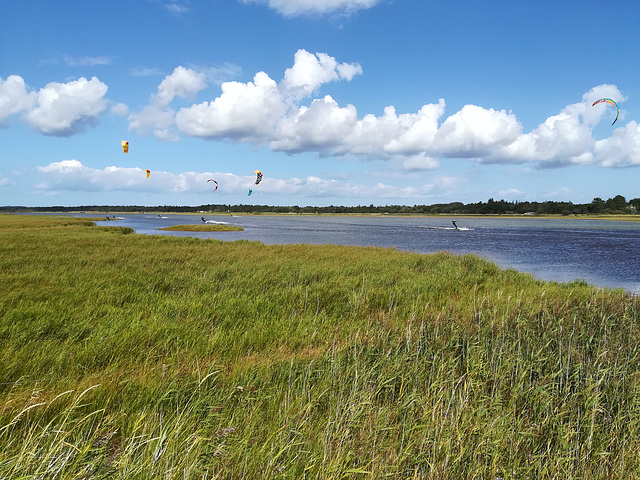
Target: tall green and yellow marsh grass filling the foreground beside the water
129,357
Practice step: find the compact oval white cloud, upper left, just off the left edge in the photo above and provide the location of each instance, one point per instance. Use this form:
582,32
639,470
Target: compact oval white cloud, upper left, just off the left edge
64,109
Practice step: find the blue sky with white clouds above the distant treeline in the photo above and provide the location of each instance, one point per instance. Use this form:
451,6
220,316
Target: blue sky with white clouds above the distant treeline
343,102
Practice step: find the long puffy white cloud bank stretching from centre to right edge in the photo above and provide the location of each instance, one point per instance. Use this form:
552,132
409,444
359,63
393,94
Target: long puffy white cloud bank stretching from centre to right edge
268,113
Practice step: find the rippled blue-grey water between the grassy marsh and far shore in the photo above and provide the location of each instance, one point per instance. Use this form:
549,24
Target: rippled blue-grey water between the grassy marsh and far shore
604,253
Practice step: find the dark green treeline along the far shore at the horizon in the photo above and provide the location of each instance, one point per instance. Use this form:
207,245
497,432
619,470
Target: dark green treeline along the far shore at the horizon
615,205
